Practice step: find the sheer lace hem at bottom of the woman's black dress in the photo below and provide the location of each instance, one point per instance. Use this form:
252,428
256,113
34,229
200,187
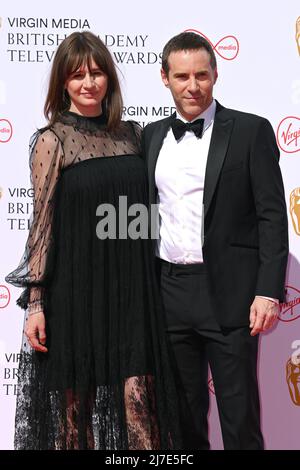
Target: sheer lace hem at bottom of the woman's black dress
112,417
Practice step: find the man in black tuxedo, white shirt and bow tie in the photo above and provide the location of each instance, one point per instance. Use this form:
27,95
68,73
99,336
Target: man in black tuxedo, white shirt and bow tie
223,244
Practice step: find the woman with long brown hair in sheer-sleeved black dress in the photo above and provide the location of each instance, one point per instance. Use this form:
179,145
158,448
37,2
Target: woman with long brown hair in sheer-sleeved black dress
94,372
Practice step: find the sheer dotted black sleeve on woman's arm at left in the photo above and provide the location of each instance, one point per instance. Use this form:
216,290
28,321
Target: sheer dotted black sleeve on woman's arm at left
46,161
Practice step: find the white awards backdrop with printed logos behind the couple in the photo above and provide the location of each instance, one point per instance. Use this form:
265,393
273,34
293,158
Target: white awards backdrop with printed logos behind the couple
258,51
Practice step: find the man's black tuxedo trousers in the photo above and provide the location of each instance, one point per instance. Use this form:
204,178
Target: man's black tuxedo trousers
197,340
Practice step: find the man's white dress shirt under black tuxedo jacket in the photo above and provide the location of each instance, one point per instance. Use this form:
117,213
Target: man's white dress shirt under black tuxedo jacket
179,177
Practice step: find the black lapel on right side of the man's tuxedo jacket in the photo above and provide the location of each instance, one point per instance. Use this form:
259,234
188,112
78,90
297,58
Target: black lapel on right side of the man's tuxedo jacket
218,147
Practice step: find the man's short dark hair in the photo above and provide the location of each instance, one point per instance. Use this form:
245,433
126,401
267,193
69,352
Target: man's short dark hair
184,42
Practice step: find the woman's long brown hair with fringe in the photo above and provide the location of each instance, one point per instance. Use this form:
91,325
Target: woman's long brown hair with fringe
75,50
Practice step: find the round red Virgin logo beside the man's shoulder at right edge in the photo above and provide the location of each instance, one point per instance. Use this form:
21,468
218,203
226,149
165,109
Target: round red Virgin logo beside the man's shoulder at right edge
288,134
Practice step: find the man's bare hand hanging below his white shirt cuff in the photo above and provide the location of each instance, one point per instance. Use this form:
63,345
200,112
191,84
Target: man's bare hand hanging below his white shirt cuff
263,314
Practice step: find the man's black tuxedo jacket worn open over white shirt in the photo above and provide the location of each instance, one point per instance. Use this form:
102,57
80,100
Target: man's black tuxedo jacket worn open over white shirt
245,245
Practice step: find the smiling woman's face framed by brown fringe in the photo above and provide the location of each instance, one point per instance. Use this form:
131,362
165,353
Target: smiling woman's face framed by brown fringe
87,89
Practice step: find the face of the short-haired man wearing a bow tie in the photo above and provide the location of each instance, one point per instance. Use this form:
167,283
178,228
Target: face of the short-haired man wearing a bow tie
191,80
